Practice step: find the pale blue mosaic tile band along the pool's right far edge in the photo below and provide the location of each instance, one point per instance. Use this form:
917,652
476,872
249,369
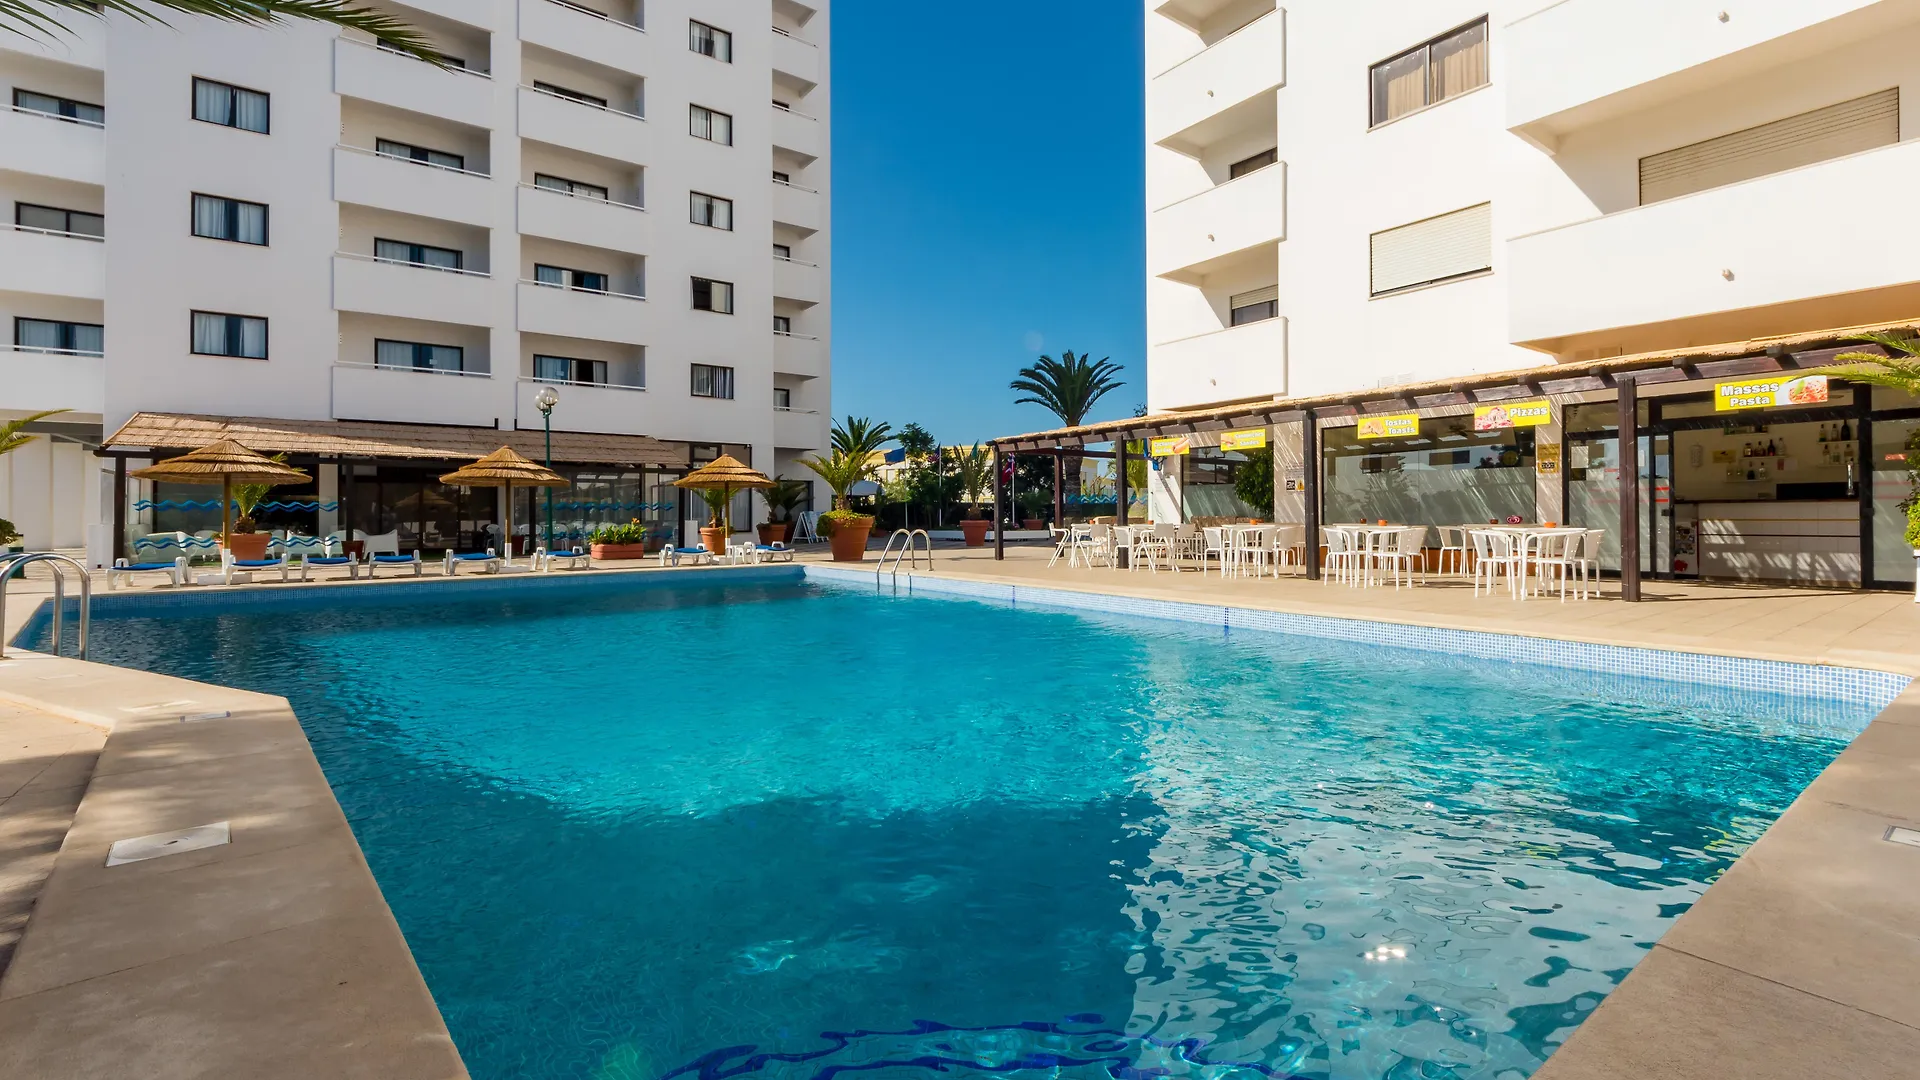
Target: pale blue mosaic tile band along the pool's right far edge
1758,675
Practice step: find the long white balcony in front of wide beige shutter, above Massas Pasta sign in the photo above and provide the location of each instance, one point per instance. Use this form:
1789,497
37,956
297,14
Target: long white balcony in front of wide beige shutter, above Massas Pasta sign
1821,232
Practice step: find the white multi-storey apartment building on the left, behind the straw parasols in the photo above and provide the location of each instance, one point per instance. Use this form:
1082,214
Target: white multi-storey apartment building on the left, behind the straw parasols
375,266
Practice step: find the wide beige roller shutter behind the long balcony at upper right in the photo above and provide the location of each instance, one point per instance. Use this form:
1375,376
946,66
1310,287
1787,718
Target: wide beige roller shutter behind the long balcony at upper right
1821,135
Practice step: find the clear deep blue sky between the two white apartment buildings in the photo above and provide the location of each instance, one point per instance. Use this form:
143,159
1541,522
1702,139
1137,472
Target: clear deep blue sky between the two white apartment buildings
988,207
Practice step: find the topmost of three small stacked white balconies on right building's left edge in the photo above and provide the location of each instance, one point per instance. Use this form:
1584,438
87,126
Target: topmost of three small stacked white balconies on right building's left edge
1239,68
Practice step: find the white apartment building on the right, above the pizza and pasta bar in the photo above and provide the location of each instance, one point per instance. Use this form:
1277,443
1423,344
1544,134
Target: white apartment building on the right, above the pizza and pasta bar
1372,195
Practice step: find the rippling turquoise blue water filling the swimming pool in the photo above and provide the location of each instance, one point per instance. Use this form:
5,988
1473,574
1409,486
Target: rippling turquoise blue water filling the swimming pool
784,831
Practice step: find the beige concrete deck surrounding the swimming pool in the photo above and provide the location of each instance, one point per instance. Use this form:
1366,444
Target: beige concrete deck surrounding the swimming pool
277,956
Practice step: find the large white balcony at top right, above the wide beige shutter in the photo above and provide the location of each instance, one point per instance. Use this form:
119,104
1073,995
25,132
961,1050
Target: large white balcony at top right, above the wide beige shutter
1581,62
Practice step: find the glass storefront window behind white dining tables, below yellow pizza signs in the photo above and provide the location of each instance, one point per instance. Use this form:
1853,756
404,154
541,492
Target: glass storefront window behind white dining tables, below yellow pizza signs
1449,476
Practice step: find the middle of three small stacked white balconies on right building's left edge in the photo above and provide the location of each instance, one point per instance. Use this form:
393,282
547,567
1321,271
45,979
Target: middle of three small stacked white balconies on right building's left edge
1189,239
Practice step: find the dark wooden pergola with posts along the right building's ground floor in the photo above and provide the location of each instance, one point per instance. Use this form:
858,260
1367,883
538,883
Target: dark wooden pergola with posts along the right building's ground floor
1623,376
